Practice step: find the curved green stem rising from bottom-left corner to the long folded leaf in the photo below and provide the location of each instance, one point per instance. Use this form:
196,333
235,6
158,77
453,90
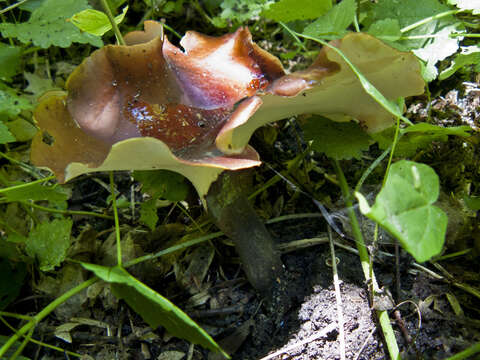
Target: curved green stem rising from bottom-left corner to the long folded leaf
45,312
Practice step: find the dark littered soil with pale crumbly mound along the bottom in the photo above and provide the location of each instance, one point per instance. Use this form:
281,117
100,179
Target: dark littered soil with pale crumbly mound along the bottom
299,323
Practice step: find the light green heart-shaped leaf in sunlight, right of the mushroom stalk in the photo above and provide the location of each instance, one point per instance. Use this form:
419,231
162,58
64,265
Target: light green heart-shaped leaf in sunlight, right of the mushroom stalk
404,208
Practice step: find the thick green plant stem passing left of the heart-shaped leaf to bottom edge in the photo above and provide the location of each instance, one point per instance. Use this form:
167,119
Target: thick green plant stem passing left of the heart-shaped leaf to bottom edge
383,317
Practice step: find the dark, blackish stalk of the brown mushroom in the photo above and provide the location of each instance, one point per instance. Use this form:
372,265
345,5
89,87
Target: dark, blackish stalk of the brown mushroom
234,215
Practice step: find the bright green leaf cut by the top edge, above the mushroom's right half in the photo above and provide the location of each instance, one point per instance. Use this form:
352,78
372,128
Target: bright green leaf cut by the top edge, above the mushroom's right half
290,10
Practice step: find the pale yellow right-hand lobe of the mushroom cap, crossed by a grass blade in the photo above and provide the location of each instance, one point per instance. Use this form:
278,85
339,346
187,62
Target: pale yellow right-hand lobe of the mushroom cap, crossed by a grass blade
330,88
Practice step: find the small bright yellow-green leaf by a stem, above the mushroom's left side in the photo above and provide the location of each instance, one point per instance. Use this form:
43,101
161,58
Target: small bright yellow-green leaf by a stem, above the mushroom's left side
95,22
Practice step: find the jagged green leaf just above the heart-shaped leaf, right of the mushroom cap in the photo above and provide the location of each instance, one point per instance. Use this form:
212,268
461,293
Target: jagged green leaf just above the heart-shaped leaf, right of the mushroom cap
418,136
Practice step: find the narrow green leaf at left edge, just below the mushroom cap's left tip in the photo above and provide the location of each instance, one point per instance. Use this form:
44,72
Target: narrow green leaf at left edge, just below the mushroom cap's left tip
35,192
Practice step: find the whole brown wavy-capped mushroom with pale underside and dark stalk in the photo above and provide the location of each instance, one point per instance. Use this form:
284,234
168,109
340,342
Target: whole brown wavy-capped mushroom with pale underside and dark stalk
150,105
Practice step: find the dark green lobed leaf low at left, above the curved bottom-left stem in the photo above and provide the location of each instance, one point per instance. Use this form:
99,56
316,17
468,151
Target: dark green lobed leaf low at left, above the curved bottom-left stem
49,242
